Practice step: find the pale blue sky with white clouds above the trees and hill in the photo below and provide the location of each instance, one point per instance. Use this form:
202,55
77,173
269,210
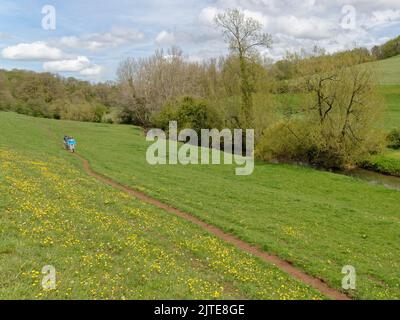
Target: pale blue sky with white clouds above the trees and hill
92,36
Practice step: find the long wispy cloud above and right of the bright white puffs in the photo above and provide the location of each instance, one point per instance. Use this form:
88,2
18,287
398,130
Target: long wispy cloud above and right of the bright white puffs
98,41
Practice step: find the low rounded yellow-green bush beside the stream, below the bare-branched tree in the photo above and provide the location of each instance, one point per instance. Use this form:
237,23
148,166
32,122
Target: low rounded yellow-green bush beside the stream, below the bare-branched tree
303,141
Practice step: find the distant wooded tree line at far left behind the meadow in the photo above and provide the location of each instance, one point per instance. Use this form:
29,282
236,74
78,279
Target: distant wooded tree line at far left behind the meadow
50,96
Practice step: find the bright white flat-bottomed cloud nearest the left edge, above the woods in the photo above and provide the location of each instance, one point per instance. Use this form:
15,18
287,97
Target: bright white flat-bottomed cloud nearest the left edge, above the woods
32,51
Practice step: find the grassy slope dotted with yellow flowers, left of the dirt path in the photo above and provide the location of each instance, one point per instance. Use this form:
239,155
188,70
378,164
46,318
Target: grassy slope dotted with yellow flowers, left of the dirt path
103,243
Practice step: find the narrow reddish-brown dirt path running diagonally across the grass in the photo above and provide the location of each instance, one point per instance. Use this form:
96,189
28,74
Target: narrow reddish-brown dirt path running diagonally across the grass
285,266
